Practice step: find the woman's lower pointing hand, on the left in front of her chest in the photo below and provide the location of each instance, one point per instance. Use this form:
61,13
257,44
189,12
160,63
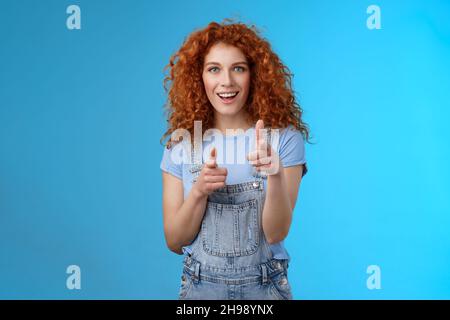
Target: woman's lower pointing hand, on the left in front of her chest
211,177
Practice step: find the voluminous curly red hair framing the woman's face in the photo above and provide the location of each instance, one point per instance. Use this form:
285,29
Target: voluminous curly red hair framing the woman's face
271,96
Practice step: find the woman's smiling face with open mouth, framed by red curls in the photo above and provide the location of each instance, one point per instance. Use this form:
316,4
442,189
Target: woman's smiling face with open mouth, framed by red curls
226,77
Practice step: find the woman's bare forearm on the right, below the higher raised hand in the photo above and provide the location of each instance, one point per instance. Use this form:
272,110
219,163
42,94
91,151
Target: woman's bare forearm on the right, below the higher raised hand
277,212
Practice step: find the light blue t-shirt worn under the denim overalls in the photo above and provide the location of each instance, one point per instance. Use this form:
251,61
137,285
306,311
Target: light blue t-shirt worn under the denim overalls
231,152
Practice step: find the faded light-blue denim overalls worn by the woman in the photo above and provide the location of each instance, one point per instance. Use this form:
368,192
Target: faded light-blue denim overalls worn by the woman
230,258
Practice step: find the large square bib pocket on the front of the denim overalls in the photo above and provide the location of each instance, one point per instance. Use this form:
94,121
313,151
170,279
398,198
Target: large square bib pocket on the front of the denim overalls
231,230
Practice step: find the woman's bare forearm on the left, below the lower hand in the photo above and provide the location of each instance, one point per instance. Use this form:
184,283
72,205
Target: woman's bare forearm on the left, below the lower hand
183,226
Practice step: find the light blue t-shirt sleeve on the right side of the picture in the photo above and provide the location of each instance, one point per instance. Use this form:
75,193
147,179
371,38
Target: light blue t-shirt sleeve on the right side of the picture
292,149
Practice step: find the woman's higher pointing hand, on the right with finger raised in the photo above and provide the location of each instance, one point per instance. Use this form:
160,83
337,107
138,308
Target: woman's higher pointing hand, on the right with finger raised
264,158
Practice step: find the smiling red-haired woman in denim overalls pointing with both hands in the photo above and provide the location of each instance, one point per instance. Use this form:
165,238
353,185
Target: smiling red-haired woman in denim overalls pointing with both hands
228,217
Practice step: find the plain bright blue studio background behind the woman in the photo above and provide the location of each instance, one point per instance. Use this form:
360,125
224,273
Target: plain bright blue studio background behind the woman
81,118
